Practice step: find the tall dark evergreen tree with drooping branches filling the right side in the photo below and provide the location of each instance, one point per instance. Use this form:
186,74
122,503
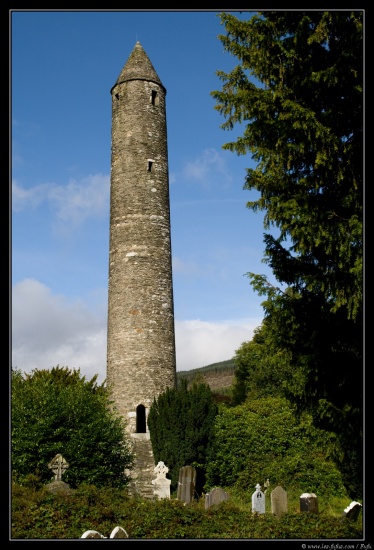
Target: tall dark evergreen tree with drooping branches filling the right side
297,94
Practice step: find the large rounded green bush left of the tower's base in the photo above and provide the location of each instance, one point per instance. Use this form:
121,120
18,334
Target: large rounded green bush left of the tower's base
59,411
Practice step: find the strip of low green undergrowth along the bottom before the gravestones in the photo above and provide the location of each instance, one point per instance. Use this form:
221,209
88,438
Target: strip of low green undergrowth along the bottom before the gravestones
39,514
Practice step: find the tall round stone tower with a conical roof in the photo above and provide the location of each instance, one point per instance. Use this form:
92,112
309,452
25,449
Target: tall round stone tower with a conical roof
141,347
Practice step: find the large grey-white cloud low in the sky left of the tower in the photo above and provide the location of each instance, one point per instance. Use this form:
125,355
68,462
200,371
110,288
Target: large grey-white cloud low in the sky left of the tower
47,331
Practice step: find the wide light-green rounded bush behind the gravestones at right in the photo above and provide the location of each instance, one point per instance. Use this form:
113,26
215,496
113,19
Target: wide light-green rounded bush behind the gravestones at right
262,439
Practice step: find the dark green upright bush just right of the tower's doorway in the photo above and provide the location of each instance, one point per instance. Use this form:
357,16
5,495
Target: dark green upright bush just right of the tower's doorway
180,422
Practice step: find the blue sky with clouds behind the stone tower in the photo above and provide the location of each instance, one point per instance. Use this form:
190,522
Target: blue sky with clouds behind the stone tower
63,65
